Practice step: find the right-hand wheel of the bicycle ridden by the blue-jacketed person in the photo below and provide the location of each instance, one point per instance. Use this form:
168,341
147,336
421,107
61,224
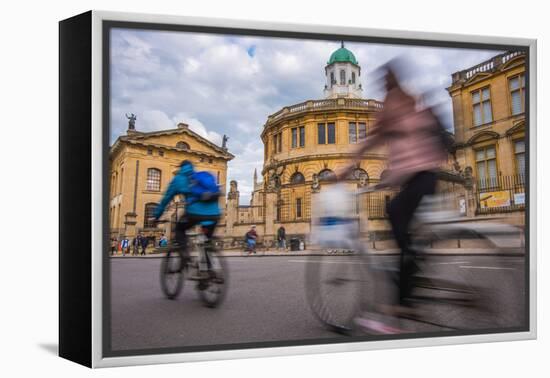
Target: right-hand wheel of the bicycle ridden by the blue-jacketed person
213,289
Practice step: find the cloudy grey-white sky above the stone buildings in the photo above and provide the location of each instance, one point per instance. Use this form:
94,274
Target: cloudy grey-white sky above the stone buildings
230,84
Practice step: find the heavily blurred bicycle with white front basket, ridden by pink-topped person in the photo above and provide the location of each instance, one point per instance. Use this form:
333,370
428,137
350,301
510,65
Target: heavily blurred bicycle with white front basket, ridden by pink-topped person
341,288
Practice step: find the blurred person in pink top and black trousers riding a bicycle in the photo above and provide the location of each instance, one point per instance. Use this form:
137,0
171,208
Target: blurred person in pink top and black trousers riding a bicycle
416,150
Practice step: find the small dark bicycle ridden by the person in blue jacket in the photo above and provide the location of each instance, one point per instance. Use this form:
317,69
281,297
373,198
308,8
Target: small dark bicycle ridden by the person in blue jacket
203,265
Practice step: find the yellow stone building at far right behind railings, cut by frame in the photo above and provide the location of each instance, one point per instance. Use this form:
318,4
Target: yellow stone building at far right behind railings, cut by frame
489,121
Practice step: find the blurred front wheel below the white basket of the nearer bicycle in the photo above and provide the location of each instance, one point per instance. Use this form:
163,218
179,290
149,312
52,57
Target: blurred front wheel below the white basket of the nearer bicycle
334,289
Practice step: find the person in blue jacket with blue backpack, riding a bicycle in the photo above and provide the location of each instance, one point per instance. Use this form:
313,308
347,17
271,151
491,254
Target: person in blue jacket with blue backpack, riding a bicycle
201,202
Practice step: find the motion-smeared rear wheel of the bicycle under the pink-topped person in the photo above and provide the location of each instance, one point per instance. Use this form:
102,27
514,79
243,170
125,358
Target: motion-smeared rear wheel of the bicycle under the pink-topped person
464,292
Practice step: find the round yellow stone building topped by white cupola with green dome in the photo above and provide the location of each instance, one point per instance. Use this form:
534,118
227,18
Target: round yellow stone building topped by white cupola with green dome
304,144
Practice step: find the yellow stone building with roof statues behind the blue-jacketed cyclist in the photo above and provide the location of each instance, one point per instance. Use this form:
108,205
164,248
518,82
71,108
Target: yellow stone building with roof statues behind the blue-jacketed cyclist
141,167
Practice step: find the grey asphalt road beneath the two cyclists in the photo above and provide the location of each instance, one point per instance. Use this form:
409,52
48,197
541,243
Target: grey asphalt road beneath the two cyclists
266,301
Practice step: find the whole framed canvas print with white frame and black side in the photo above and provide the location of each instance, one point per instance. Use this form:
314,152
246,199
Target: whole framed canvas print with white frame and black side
232,189
